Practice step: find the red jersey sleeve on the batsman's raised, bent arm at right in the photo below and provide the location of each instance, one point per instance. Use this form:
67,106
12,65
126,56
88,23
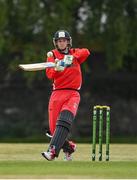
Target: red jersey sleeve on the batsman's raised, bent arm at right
81,54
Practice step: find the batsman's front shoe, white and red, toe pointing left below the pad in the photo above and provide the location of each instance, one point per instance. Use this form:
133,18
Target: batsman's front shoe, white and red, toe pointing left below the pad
50,154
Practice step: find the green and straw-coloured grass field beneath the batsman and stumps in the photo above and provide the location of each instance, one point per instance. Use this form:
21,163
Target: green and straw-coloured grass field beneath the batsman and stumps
25,161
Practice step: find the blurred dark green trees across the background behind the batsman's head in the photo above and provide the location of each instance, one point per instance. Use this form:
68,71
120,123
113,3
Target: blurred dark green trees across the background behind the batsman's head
27,27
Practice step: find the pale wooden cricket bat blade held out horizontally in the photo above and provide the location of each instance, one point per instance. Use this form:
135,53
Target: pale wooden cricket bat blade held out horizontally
36,66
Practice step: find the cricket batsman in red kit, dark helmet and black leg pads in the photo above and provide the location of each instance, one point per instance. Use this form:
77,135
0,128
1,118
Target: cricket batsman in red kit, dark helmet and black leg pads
65,97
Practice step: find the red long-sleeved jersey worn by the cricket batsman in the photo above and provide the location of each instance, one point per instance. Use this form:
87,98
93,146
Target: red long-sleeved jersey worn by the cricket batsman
71,77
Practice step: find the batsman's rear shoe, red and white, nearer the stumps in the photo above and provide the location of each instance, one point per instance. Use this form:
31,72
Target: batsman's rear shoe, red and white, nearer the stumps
68,155
